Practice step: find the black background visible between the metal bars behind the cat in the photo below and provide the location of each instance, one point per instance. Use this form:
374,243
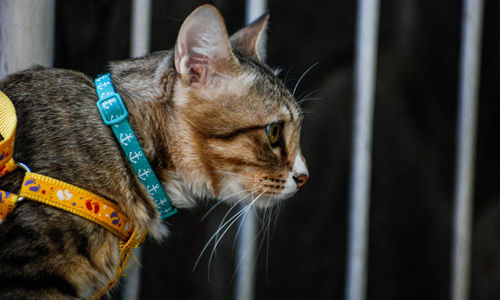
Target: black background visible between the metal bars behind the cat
413,150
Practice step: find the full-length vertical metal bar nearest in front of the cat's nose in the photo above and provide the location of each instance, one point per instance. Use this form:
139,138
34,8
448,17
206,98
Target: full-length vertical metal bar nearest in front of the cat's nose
365,67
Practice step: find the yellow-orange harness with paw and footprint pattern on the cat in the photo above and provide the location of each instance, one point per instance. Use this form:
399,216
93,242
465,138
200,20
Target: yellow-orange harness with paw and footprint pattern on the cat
62,195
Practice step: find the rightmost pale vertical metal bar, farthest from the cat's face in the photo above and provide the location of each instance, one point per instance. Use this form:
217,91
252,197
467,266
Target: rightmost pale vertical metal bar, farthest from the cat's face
466,138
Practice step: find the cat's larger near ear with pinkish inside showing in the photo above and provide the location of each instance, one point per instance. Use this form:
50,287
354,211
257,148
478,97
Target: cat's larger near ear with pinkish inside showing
203,55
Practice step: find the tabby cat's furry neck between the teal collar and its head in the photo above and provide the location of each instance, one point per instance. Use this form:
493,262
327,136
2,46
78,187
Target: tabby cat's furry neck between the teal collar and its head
147,86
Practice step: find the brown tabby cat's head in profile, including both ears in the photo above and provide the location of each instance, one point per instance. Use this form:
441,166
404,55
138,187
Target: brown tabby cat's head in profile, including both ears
238,125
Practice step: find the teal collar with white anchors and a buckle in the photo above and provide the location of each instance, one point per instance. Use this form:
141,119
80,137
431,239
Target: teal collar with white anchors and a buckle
115,115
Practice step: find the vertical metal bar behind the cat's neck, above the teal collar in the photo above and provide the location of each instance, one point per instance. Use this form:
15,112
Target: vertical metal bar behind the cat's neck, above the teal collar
139,45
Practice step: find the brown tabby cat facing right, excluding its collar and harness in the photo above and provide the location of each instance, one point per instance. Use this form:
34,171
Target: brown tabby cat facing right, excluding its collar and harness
212,118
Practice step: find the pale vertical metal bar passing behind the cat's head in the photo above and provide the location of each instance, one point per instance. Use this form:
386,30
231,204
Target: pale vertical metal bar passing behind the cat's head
246,252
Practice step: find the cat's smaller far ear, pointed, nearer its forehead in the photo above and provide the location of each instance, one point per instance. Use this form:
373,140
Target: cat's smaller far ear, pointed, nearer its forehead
251,39
